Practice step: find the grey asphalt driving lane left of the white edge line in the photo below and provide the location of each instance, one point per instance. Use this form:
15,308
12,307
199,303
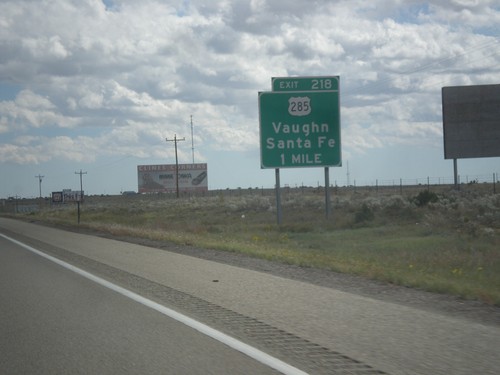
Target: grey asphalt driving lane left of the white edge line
54,321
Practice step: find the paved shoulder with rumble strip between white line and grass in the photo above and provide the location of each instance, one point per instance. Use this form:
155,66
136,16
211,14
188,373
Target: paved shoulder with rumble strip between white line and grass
343,332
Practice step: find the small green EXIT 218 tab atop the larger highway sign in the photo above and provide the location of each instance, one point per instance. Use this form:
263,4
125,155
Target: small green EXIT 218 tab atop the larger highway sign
326,83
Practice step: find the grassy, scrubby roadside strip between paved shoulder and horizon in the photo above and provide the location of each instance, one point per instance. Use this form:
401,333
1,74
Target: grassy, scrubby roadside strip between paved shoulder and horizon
444,241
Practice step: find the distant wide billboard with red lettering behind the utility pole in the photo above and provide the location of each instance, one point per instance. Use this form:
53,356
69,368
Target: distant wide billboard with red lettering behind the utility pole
161,178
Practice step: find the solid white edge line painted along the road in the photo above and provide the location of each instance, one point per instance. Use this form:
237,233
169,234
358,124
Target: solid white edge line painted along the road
240,346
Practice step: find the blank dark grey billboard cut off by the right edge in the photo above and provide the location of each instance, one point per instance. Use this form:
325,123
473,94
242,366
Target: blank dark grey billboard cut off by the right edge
471,121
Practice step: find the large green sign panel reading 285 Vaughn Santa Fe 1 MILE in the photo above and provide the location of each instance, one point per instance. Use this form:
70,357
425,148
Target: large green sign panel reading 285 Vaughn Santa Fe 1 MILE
300,128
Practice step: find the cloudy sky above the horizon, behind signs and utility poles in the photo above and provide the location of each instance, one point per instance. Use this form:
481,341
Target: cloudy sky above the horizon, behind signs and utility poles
98,86
